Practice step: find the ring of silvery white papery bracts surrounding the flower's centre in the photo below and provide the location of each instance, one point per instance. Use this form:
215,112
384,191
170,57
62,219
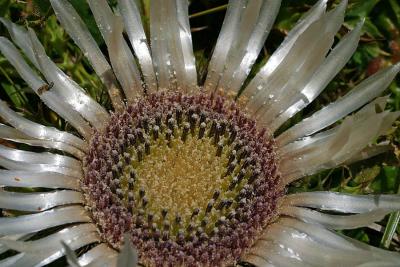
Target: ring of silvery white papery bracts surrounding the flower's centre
303,233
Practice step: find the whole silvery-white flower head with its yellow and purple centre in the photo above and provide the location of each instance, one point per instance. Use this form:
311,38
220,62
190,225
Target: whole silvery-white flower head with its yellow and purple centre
191,174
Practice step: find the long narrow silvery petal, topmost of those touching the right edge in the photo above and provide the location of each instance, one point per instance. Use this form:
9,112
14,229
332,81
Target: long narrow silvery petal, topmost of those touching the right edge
364,92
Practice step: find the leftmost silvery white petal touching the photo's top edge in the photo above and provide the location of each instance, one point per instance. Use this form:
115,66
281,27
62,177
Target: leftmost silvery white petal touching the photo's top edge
77,29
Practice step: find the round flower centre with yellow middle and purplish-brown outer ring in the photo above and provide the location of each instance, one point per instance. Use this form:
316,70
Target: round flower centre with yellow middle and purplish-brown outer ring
189,177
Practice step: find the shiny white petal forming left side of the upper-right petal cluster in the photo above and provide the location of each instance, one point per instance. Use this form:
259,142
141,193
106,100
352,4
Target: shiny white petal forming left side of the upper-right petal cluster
285,47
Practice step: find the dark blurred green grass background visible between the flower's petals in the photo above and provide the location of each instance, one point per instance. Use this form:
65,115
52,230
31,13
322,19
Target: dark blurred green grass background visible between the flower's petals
379,47
